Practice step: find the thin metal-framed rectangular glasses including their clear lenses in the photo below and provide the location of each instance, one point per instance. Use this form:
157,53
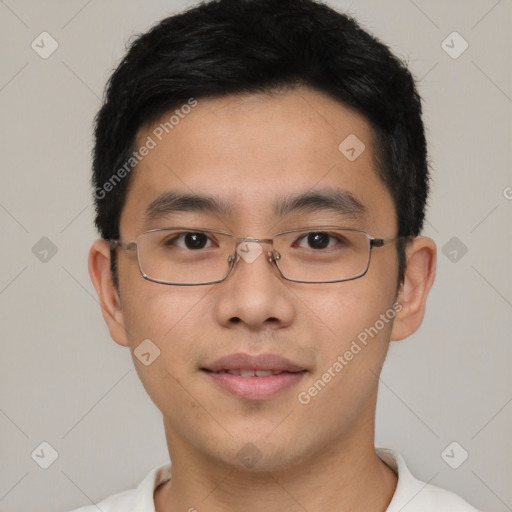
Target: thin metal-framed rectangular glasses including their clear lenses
185,256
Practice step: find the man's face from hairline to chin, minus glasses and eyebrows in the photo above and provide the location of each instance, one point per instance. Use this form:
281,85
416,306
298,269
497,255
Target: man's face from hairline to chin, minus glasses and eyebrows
252,152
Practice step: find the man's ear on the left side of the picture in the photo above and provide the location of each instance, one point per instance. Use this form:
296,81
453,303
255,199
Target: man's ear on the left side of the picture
101,276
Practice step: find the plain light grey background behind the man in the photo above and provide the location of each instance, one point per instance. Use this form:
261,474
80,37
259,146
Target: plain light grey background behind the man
64,381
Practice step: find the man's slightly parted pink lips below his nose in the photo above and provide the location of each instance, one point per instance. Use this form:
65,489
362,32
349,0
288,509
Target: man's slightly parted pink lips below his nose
254,377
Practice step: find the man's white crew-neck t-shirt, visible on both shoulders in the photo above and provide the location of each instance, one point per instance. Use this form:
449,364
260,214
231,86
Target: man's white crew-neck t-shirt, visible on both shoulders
411,495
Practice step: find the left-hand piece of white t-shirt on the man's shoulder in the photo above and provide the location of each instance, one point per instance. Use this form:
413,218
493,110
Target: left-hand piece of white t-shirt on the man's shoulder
139,499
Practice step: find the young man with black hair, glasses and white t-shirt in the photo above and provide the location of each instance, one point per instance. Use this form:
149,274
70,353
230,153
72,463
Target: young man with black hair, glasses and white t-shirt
260,175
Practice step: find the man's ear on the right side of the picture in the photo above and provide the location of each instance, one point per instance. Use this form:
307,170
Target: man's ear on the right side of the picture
418,279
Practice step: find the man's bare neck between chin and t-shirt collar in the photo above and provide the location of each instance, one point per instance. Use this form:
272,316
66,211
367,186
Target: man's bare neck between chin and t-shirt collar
345,476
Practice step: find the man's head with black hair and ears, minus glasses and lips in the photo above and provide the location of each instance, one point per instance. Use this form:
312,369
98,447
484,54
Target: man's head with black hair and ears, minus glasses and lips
249,103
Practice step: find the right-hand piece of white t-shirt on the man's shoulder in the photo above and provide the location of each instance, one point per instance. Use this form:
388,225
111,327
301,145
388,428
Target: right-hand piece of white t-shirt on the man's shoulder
412,495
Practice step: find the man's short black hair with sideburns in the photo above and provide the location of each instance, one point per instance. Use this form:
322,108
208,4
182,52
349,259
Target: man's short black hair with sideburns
227,47
